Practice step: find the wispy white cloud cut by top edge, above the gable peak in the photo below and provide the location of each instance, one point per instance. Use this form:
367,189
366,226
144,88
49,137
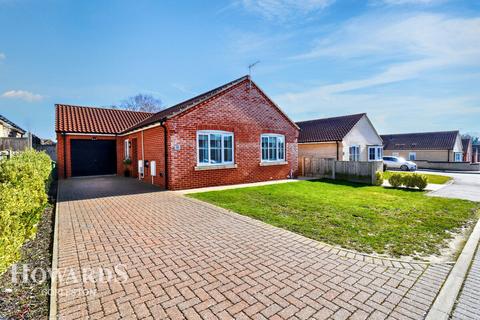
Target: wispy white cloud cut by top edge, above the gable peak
282,9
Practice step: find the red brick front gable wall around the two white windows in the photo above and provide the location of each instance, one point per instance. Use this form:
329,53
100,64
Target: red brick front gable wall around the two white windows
247,113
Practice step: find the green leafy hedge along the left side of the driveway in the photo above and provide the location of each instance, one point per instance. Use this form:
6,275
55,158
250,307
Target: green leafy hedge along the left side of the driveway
24,179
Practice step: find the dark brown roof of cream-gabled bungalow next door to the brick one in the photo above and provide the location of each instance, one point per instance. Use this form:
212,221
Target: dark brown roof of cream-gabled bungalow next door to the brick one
328,129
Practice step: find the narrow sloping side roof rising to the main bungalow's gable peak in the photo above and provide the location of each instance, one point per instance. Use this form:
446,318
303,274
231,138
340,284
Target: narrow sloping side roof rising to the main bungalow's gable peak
185,105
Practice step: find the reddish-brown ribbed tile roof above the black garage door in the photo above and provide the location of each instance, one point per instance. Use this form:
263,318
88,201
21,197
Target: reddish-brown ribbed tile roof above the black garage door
77,119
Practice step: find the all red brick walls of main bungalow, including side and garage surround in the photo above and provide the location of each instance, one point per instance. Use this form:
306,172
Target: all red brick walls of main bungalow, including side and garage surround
243,110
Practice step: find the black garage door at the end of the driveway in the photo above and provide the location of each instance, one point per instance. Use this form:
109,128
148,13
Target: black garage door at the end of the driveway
93,157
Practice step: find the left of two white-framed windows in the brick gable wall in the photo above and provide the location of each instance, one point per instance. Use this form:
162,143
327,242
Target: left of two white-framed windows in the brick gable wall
214,148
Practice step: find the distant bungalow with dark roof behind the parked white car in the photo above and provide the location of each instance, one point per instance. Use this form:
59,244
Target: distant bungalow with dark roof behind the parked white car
443,146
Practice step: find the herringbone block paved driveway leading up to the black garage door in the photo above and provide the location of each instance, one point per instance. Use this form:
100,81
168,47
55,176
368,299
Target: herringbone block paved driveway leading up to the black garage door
187,259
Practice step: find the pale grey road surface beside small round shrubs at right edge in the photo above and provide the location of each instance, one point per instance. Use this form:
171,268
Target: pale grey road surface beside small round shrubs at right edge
465,186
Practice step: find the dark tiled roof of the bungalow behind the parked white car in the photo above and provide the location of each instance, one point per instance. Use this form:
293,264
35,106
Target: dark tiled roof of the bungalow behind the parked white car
444,140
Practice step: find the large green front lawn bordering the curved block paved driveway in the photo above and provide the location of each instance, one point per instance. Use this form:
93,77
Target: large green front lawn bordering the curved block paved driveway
364,218
